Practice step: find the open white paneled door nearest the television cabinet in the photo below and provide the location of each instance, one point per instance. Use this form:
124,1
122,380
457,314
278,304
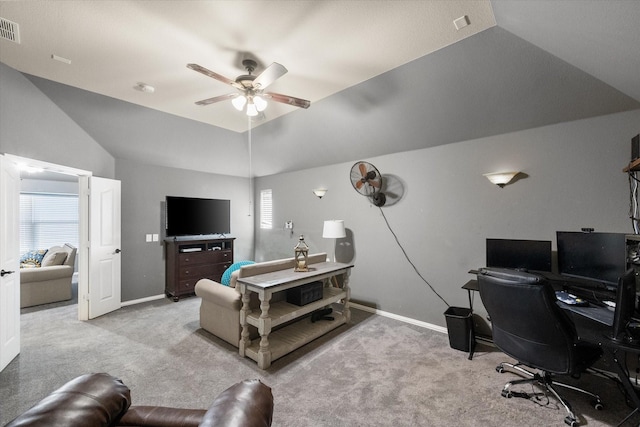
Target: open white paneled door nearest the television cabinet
102,294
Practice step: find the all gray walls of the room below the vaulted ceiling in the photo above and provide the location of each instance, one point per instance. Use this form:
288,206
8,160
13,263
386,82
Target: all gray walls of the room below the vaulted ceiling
442,211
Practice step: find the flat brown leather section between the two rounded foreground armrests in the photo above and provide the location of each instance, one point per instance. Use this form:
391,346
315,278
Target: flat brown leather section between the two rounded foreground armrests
160,416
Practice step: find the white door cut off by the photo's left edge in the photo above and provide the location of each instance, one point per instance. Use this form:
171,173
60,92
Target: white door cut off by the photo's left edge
9,262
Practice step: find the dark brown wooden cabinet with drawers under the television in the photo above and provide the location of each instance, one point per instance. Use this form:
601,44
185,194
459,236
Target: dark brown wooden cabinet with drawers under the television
189,259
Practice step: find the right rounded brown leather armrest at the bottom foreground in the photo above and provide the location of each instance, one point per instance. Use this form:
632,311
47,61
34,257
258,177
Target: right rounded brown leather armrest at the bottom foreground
248,404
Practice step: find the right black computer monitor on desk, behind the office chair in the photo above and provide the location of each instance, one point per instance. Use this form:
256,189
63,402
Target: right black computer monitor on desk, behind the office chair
599,257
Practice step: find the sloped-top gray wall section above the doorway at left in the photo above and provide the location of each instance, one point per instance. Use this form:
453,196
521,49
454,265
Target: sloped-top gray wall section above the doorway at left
34,127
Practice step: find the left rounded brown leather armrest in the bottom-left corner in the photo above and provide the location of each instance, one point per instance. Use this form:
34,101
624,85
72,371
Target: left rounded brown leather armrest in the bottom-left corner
88,400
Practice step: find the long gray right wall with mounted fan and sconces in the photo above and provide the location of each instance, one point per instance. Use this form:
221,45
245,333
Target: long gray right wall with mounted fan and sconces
445,209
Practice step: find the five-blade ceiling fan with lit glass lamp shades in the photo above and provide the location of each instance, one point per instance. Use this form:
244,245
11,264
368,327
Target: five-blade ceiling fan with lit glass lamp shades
250,95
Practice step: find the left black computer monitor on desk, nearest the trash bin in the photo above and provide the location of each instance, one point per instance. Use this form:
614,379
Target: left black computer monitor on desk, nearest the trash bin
519,254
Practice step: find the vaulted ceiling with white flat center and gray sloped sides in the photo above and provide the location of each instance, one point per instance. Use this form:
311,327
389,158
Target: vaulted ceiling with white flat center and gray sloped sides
369,68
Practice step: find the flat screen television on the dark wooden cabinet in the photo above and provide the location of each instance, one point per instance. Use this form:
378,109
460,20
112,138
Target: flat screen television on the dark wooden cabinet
190,216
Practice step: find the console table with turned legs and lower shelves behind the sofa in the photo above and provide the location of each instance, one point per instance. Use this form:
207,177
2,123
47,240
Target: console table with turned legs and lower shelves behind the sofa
274,344
